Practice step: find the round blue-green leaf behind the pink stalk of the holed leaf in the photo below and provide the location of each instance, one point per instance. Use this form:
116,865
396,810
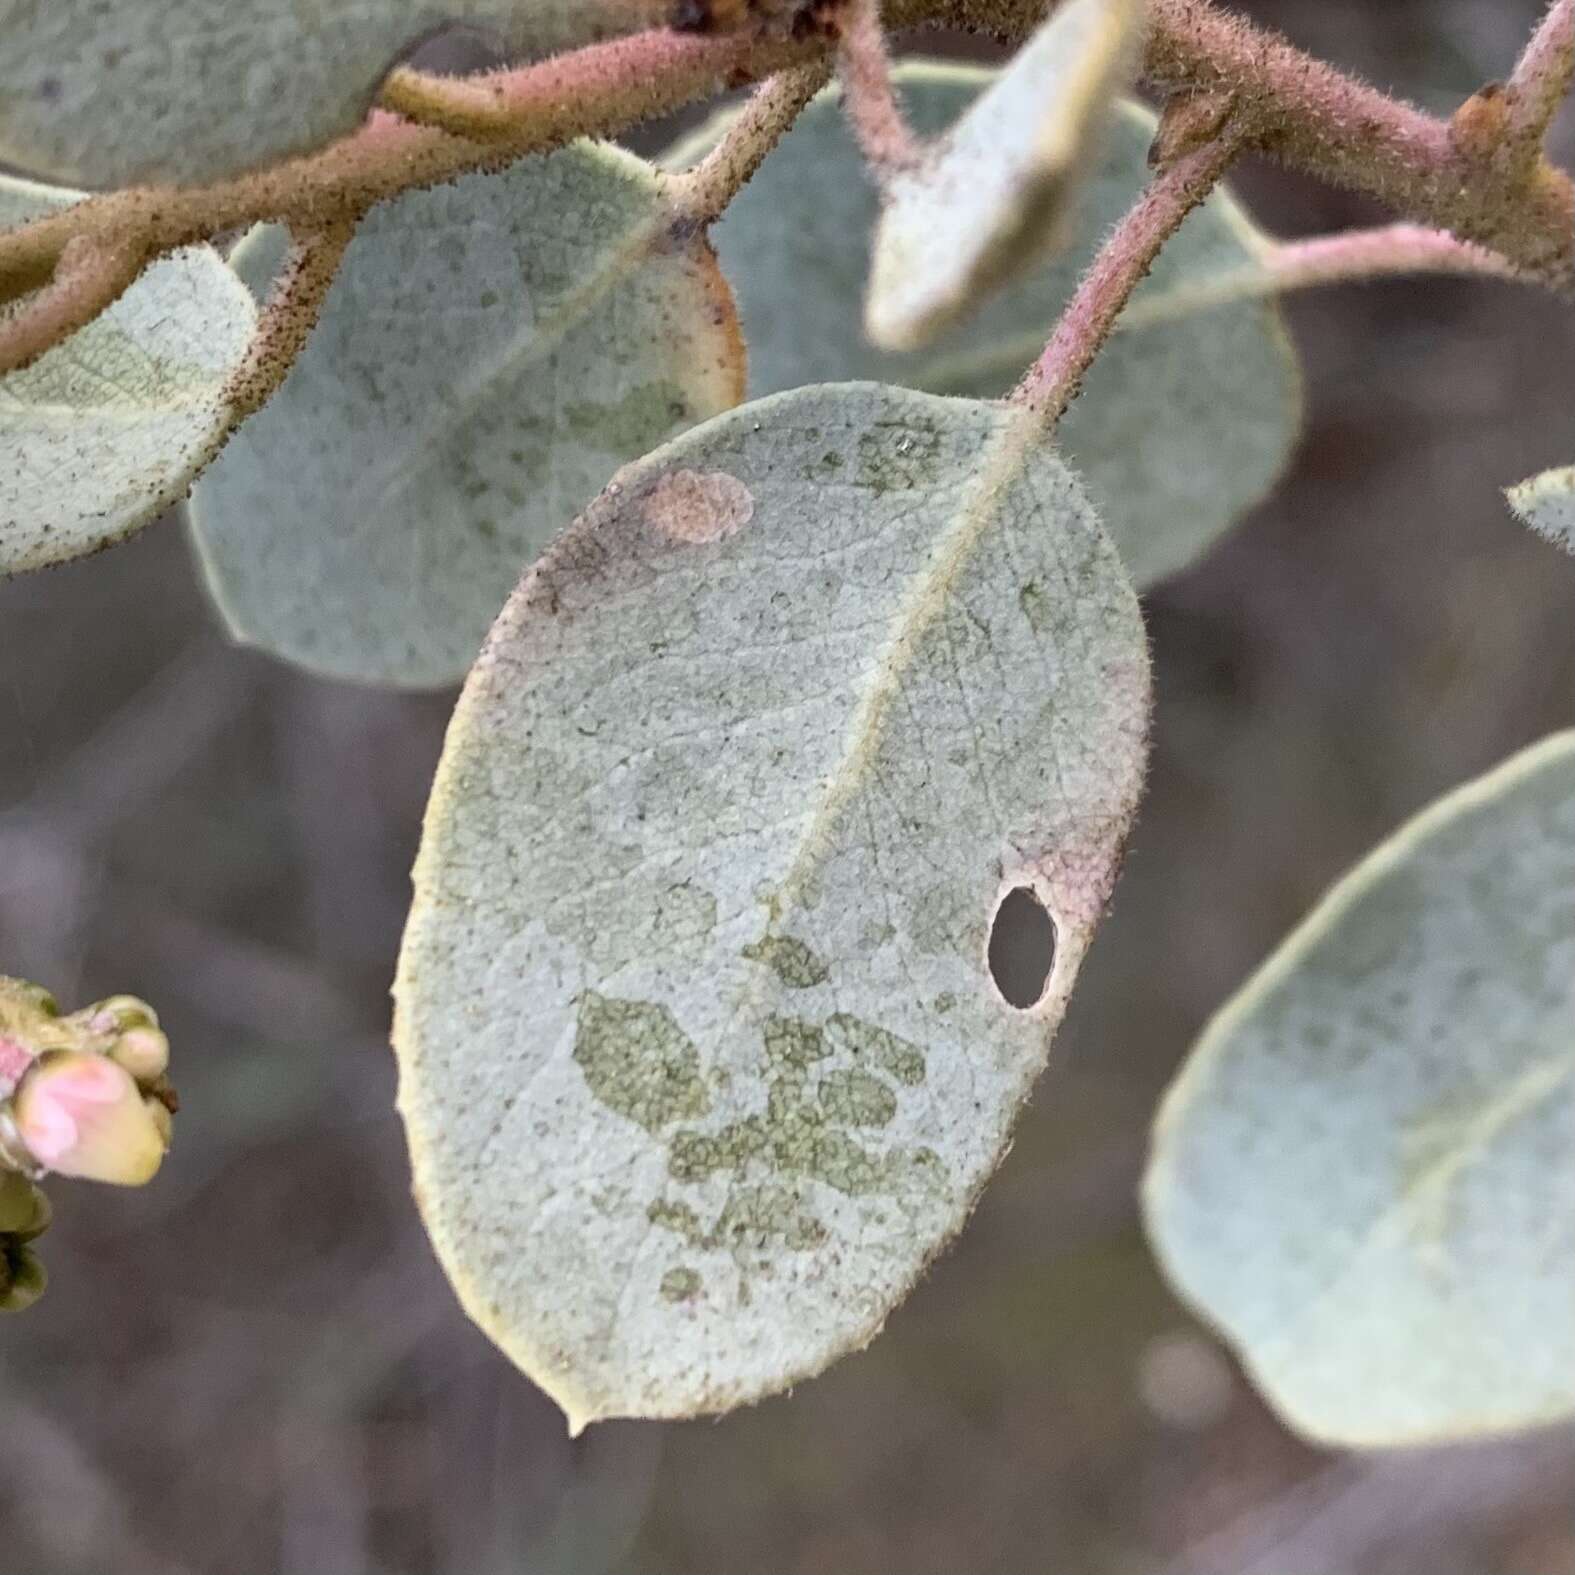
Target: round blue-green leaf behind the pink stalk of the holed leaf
1184,426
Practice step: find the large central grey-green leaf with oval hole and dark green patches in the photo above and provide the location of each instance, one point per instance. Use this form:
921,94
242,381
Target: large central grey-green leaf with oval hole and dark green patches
700,1054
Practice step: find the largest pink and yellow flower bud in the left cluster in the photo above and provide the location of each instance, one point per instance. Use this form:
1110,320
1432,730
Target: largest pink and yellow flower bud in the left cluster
84,1116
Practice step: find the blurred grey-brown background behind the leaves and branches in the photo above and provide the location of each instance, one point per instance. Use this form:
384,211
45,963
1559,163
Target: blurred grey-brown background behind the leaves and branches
256,1365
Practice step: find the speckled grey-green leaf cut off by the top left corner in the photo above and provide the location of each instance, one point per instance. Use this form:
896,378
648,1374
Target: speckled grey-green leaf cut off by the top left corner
141,92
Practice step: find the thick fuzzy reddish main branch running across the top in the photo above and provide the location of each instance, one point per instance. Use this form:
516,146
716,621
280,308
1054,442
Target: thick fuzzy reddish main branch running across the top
1299,109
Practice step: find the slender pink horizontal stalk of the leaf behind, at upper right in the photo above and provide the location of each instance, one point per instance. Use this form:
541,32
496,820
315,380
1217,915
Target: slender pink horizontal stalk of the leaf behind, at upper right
1355,256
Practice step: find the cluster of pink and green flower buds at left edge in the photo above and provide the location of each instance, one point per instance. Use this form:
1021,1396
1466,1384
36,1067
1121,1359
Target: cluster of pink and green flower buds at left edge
81,1095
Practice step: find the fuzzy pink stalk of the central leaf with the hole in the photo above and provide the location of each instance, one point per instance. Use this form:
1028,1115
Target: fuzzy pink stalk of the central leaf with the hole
1121,267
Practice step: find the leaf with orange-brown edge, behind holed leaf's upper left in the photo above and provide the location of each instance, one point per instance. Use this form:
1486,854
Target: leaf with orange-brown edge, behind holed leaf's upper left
487,357
